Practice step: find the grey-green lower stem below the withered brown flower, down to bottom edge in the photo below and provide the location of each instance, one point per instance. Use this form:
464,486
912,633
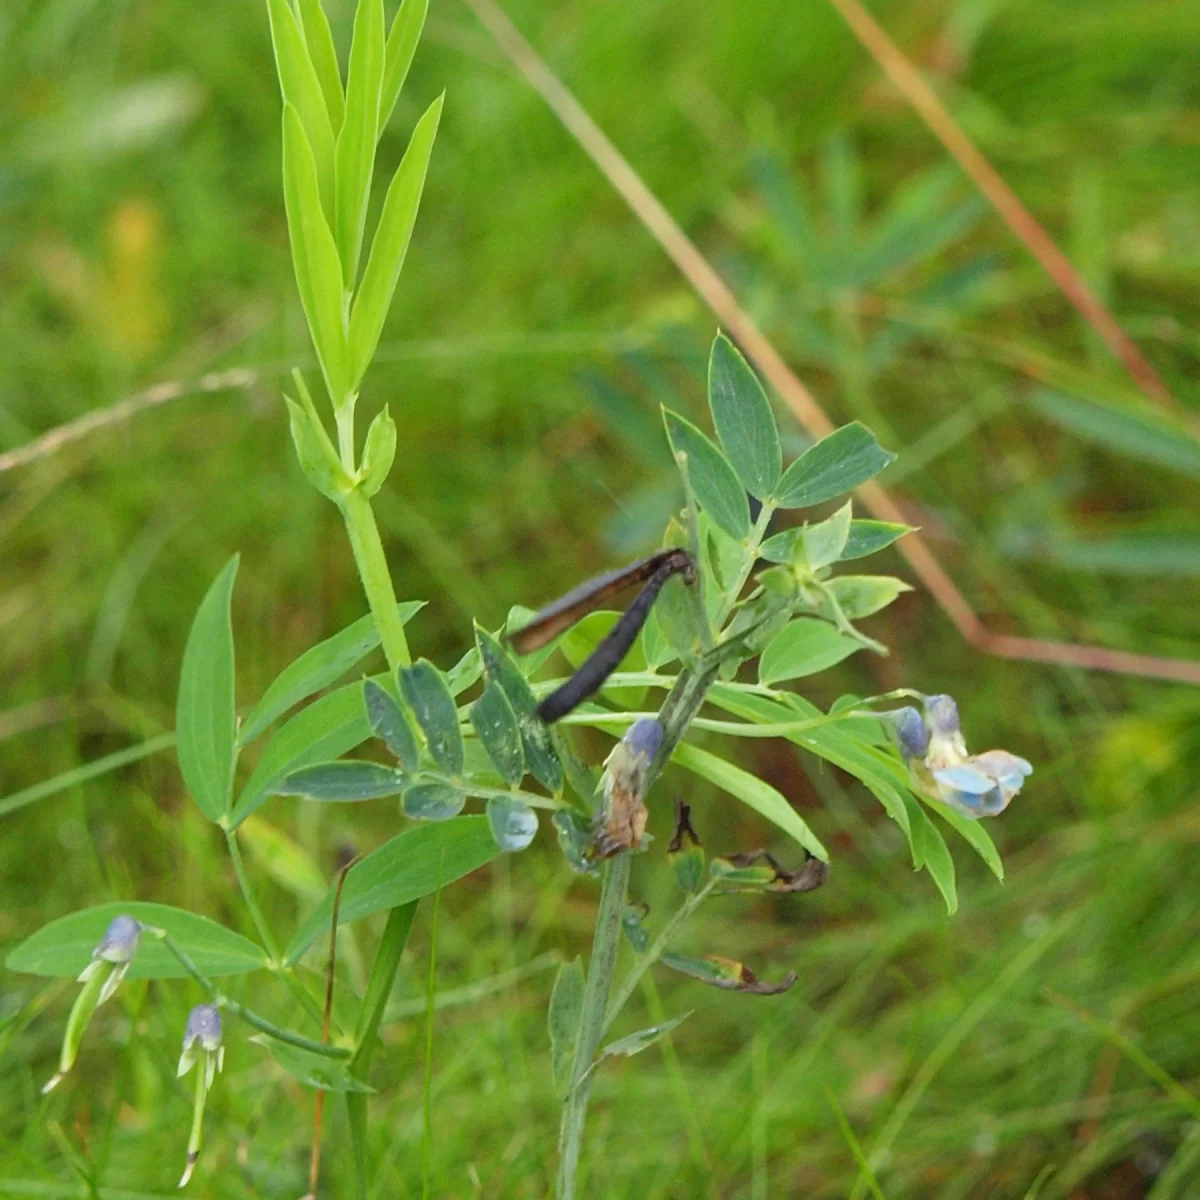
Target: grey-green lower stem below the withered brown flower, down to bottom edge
592,1021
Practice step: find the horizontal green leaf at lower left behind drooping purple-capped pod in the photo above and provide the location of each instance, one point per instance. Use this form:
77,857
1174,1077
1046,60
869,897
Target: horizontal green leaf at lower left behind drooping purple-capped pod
63,949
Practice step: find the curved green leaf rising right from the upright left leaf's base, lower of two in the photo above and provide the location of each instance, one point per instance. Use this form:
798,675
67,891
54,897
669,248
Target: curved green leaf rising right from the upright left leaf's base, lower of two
327,729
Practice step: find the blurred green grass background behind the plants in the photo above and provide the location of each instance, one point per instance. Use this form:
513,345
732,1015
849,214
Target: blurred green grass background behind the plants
142,239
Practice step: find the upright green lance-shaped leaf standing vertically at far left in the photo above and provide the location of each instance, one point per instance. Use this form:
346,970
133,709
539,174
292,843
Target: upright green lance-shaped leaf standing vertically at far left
205,716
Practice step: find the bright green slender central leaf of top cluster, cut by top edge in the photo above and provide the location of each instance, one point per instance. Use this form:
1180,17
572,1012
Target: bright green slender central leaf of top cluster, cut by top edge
355,157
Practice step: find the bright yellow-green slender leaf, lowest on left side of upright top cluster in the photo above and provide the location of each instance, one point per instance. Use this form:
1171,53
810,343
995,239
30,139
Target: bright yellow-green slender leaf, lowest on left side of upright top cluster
315,257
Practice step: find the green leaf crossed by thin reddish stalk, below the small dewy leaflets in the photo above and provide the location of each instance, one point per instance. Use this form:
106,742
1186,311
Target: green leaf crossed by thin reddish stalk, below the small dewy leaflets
413,865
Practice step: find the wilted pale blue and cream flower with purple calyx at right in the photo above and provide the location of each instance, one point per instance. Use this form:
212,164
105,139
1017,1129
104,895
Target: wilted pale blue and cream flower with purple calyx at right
976,785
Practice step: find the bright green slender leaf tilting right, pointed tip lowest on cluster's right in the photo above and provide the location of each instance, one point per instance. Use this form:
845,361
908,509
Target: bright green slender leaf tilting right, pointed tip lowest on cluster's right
391,244
